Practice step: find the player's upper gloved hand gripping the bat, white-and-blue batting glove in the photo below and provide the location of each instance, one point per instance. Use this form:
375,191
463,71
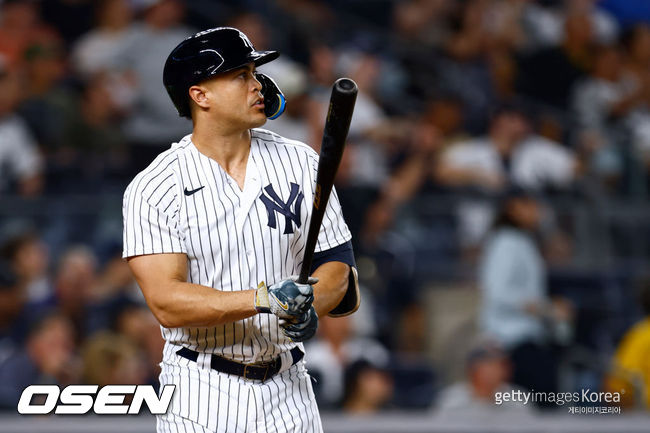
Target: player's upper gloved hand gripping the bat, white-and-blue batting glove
286,299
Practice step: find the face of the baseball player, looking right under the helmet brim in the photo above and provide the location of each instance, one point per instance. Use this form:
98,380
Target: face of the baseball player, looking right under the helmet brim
235,99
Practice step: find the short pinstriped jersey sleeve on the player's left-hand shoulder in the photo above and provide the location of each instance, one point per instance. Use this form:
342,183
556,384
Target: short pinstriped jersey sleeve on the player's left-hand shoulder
151,218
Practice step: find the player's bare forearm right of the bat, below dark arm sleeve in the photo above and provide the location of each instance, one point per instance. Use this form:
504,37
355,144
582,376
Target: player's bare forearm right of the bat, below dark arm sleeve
331,286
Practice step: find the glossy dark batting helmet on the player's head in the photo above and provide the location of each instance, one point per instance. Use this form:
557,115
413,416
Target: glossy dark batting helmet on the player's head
204,55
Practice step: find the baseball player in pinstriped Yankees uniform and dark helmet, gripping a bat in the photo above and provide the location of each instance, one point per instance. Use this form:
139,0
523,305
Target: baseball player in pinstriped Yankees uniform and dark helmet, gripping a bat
214,232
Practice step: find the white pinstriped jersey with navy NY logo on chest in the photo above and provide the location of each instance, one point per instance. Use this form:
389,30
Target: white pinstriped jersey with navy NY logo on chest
185,202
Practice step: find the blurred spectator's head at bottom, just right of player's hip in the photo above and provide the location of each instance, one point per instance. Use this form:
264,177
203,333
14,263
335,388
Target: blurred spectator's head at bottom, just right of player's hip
368,388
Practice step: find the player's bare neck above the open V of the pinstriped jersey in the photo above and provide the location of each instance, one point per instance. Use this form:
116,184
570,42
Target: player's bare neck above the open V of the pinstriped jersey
229,149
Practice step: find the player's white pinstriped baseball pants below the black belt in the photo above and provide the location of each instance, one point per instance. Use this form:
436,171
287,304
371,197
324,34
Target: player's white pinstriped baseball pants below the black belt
231,404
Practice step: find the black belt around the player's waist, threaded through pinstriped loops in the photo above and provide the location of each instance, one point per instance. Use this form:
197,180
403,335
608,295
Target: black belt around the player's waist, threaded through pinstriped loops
261,371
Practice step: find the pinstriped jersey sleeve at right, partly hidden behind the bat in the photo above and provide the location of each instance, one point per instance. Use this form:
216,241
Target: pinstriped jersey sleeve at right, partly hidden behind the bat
334,231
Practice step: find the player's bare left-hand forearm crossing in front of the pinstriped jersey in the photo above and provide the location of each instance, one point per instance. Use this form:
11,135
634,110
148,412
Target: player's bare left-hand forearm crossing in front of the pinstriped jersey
189,304
